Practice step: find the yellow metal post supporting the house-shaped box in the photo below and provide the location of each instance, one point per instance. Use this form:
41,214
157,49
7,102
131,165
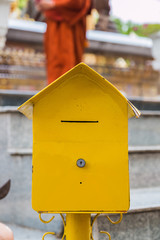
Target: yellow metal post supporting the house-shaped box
78,226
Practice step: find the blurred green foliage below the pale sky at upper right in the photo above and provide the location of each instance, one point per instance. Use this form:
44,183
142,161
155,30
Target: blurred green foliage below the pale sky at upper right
143,30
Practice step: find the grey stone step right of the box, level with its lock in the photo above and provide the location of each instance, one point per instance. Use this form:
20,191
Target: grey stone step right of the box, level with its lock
144,166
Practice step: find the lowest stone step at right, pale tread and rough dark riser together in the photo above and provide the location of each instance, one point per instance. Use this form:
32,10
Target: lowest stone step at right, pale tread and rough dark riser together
141,222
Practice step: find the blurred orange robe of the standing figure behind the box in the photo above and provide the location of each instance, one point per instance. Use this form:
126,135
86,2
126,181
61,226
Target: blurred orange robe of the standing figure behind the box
65,36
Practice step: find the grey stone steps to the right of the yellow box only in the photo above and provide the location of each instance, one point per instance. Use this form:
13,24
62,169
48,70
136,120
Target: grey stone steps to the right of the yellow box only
143,219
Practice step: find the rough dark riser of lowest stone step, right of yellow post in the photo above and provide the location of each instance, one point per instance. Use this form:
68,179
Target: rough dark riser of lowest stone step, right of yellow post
134,226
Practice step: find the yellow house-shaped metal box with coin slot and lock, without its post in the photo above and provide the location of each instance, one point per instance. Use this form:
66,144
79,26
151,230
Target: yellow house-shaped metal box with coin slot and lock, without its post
80,144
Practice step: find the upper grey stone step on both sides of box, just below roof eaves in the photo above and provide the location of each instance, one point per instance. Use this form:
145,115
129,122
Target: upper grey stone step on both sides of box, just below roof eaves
144,131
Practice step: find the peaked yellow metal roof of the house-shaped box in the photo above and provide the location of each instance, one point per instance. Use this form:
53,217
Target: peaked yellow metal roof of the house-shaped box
27,107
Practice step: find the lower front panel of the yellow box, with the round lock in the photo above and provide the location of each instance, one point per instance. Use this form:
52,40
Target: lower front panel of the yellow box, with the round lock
61,186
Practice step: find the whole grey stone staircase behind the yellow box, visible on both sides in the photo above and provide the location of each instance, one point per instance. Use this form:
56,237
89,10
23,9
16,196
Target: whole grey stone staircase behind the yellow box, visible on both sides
143,219
